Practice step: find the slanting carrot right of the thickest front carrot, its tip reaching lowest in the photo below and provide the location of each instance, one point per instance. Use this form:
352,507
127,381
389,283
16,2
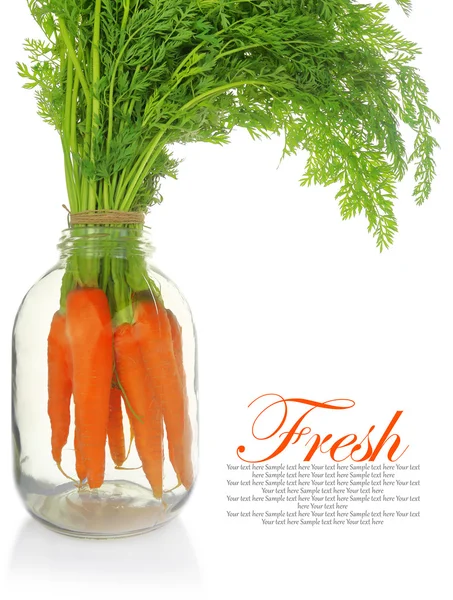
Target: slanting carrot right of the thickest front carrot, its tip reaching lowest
148,429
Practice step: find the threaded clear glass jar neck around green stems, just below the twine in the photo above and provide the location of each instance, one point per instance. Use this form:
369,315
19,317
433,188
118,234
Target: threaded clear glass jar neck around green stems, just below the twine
103,241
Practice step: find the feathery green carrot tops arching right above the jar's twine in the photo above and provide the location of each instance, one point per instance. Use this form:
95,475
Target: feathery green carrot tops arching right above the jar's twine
123,80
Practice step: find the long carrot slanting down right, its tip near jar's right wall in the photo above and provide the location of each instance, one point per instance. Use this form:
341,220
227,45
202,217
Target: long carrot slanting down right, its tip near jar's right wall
153,332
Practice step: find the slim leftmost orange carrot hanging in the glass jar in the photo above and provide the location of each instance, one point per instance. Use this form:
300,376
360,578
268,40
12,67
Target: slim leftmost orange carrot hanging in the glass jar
59,384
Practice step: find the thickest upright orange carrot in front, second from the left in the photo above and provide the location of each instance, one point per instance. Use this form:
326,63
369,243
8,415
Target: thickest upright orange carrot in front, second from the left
89,330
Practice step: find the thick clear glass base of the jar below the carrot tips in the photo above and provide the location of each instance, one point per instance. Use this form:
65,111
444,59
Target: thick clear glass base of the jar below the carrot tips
117,509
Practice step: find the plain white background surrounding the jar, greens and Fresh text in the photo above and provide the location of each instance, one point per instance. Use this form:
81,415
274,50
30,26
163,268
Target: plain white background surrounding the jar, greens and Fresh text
286,298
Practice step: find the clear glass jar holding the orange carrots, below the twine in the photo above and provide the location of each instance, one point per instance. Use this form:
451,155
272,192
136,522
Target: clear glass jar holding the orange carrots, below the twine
104,389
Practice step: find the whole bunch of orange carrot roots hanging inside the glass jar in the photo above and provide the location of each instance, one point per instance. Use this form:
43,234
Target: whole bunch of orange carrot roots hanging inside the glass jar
101,365
